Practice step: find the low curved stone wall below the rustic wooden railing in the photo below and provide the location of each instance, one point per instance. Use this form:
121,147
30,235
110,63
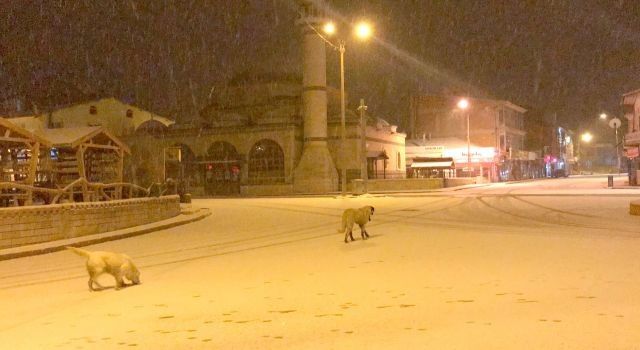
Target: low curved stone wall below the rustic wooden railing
36,224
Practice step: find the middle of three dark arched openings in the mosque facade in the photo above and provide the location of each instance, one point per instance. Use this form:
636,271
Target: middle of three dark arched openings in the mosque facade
222,169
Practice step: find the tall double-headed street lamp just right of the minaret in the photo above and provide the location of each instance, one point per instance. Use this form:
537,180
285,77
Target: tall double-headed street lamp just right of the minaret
363,31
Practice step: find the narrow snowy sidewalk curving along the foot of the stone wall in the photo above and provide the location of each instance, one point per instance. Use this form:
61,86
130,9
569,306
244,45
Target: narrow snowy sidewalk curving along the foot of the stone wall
187,215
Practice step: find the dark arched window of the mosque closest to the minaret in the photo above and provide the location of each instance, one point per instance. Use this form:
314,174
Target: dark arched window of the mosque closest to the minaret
266,163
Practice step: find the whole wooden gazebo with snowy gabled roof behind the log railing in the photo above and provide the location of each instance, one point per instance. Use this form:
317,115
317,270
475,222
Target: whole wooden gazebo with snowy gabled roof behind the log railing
89,154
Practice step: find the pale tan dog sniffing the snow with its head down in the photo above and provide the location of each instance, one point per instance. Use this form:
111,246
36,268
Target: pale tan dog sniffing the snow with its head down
115,264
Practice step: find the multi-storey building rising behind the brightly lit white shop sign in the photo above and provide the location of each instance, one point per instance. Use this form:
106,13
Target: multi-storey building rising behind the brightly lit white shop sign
494,124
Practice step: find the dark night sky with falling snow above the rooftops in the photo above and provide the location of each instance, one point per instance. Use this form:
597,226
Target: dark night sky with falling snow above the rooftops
573,58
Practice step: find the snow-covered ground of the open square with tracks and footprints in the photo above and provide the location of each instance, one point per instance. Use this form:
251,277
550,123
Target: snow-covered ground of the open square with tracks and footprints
531,265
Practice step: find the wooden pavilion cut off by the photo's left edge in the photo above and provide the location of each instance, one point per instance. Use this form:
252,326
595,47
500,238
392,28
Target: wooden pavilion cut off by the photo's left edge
21,163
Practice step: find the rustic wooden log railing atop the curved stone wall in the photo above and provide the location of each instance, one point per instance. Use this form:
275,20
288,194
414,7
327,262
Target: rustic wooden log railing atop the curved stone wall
79,190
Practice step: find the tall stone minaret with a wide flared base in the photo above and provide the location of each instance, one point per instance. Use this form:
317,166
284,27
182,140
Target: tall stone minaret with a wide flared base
316,172
